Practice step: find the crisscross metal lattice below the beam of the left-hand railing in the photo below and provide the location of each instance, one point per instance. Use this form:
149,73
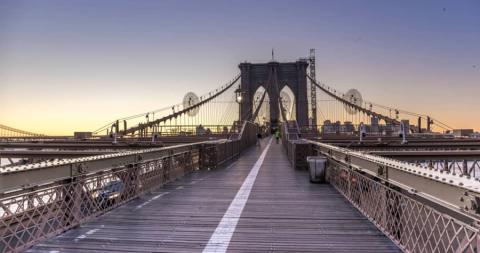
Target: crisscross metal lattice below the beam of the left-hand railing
36,213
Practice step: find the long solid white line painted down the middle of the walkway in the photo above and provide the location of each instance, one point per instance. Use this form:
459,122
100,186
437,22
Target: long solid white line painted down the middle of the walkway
220,239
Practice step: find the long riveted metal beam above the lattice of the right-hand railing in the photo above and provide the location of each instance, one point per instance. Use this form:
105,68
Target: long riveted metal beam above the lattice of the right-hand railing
456,192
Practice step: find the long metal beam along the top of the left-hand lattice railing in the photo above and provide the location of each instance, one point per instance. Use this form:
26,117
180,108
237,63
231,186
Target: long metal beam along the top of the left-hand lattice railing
33,175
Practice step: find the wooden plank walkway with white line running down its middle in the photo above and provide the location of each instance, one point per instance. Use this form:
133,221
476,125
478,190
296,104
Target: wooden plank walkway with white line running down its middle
284,212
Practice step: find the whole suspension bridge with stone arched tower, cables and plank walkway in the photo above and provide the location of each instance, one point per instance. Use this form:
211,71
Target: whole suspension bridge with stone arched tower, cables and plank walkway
273,160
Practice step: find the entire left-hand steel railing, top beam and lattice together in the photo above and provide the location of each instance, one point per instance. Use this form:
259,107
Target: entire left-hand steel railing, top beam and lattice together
45,208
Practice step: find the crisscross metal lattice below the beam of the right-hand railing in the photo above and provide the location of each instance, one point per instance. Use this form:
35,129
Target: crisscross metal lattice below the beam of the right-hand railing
412,225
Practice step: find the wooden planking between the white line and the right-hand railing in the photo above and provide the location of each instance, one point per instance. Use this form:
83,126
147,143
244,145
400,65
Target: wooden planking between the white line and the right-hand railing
287,213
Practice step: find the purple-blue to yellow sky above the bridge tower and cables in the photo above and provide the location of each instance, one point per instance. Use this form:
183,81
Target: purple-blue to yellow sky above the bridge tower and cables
76,65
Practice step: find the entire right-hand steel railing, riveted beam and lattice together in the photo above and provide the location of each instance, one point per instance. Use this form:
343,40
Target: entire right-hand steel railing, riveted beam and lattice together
402,199
